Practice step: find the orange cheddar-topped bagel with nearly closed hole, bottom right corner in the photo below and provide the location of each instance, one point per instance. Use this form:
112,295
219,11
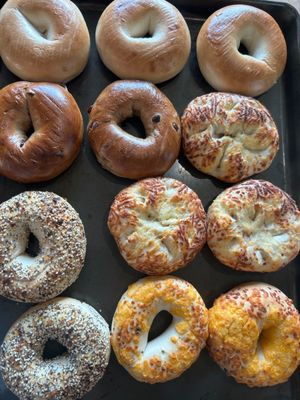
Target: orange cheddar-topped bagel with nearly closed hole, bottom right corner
254,334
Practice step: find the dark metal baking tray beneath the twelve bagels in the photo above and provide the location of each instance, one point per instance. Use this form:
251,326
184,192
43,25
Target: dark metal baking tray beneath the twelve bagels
91,189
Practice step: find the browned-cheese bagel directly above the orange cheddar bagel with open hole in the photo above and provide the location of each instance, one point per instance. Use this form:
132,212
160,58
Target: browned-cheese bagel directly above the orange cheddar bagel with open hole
158,224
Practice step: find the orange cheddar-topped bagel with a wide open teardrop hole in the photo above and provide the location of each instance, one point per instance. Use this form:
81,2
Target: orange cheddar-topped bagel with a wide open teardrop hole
174,351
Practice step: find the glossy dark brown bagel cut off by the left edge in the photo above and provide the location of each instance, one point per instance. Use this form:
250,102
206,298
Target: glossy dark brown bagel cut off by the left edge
52,113
